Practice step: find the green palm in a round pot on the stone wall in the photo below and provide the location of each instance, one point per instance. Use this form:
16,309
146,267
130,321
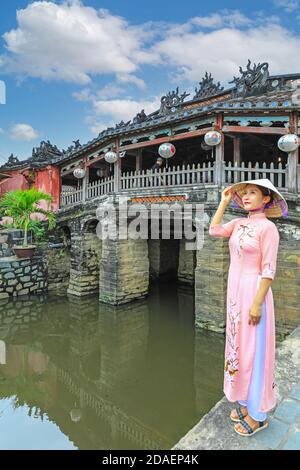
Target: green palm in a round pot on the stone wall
20,205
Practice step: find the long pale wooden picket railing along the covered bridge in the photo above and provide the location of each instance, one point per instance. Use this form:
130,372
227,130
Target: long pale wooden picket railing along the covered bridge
187,176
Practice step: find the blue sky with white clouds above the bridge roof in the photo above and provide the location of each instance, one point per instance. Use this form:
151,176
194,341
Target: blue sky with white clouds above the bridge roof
72,68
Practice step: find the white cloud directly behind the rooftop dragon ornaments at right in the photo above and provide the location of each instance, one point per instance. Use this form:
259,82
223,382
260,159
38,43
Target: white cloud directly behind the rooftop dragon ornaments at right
222,51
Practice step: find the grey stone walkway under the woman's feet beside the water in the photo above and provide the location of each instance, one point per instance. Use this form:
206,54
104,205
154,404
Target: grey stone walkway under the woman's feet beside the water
215,430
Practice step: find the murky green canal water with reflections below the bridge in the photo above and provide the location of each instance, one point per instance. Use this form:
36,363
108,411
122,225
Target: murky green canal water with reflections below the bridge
129,377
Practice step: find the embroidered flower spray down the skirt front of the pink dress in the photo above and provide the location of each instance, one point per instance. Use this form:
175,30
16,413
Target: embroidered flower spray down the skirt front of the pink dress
231,358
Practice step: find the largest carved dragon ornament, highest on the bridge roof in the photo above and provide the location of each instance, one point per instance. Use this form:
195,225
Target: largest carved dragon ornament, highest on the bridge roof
252,81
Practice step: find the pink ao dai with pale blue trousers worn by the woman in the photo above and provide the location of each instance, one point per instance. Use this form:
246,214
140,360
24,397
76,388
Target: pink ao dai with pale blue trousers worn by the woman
250,350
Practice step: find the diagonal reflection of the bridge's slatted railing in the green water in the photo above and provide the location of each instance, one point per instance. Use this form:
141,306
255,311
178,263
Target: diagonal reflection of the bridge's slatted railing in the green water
129,427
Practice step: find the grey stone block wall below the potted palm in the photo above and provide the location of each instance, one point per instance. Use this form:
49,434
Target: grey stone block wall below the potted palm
22,276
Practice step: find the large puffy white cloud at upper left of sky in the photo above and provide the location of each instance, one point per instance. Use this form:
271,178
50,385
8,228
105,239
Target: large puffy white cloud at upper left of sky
71,42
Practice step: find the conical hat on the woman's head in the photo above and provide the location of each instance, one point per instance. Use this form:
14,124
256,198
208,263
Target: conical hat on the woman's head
277,208
